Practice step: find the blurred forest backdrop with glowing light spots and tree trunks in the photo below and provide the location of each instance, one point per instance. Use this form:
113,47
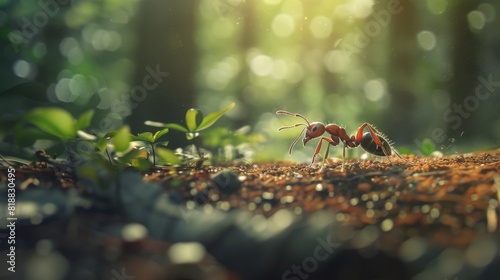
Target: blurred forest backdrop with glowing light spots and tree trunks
415,69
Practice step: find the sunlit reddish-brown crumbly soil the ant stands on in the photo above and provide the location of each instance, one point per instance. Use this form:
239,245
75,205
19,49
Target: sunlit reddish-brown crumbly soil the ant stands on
446,199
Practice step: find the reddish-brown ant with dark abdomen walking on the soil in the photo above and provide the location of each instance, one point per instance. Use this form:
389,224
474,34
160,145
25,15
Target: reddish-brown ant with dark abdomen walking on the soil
372,141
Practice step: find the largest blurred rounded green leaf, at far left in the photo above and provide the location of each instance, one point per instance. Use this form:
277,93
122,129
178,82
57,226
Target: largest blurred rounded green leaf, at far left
52,120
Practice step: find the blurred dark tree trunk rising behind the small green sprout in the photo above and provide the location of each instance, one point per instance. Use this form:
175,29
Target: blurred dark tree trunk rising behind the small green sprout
165,44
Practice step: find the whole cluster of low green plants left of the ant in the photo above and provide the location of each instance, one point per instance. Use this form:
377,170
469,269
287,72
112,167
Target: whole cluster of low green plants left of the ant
59,126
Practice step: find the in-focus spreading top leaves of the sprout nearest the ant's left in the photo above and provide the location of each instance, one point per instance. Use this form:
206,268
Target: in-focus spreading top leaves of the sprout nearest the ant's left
195,121
